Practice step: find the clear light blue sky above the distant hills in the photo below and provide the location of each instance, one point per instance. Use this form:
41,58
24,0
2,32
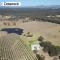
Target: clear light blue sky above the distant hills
34,2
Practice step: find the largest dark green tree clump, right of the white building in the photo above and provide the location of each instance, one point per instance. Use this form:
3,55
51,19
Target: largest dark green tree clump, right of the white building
51,49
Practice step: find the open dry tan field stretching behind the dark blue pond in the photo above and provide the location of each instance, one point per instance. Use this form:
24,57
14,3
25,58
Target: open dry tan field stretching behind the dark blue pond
50,31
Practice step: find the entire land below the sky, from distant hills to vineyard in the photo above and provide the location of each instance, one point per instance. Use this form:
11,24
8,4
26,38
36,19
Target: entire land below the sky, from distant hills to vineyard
30,33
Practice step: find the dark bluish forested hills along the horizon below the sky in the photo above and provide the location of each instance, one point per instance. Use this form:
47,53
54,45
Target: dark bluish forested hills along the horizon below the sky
31,11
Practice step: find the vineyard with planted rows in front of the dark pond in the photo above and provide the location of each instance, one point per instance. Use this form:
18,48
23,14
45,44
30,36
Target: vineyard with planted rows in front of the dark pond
13,48
